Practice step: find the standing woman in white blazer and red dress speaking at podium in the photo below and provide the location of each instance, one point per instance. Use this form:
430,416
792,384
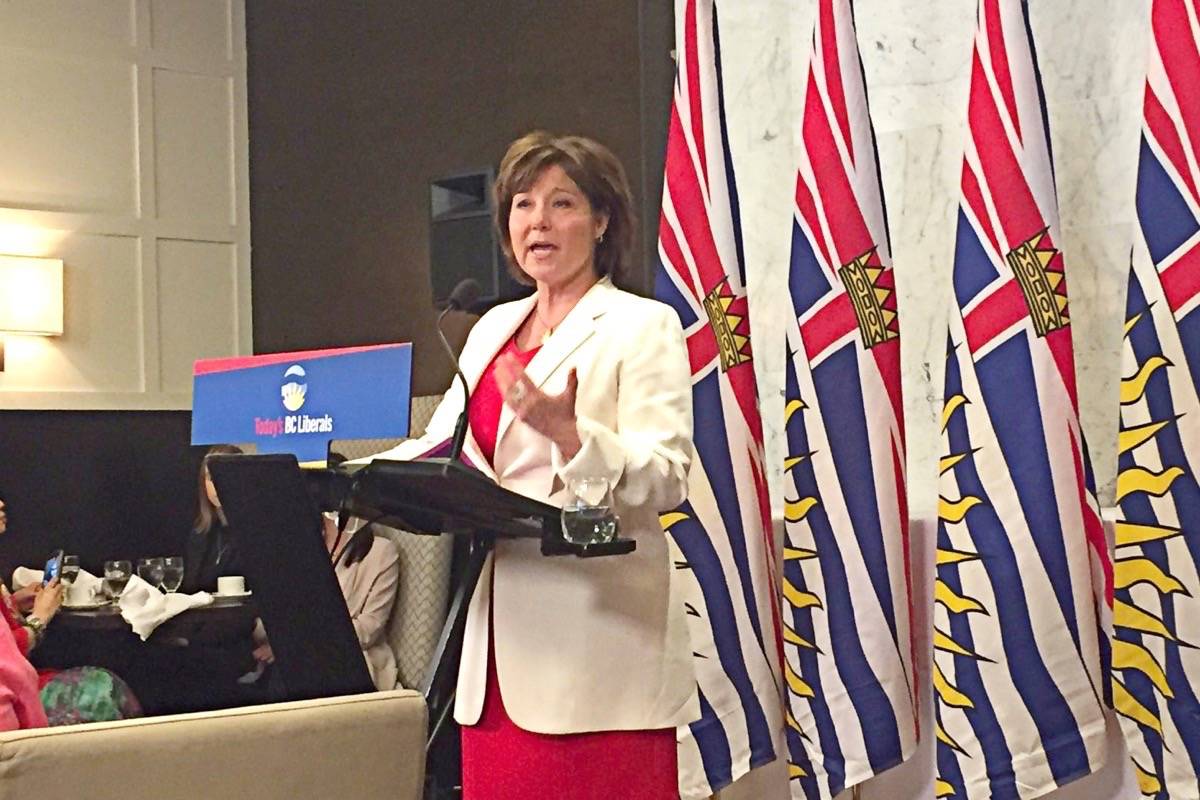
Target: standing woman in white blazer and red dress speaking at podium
575,672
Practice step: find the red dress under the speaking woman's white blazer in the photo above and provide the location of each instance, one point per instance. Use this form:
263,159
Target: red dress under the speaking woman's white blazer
503,762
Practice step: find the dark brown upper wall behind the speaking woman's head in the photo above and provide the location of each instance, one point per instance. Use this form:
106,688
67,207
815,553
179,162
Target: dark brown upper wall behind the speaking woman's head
355,109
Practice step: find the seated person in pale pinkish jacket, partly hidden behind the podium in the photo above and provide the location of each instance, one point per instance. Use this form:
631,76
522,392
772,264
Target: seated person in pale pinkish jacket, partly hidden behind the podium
368,570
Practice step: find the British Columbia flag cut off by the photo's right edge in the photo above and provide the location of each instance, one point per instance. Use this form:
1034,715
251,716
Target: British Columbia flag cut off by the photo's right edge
1156,613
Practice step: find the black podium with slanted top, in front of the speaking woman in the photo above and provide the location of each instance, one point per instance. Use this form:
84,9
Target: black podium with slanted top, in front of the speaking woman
428,497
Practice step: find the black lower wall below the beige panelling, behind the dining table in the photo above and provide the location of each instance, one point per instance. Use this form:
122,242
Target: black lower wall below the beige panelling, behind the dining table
104,485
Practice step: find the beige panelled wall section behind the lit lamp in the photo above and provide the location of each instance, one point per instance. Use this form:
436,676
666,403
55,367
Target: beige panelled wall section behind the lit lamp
124,153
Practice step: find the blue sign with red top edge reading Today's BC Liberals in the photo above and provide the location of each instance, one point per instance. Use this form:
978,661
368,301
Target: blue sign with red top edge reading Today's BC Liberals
297,402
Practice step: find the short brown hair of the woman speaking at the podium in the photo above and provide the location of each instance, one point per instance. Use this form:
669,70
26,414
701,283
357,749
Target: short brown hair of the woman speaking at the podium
599,176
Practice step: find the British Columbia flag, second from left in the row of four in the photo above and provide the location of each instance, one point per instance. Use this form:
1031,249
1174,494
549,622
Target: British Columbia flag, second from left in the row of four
847,580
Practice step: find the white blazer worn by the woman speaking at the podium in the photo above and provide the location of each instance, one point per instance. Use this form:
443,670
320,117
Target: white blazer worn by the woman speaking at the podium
586,645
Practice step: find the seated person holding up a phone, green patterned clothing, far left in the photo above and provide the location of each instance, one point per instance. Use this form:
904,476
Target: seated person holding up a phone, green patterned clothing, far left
68,696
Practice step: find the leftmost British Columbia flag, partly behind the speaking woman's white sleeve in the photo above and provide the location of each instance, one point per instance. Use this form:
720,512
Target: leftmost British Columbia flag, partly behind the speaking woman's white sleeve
723,532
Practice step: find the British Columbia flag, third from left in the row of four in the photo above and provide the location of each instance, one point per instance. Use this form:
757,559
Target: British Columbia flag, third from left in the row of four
1023,569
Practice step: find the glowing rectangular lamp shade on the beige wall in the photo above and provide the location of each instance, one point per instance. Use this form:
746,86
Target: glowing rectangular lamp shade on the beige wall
31,296
